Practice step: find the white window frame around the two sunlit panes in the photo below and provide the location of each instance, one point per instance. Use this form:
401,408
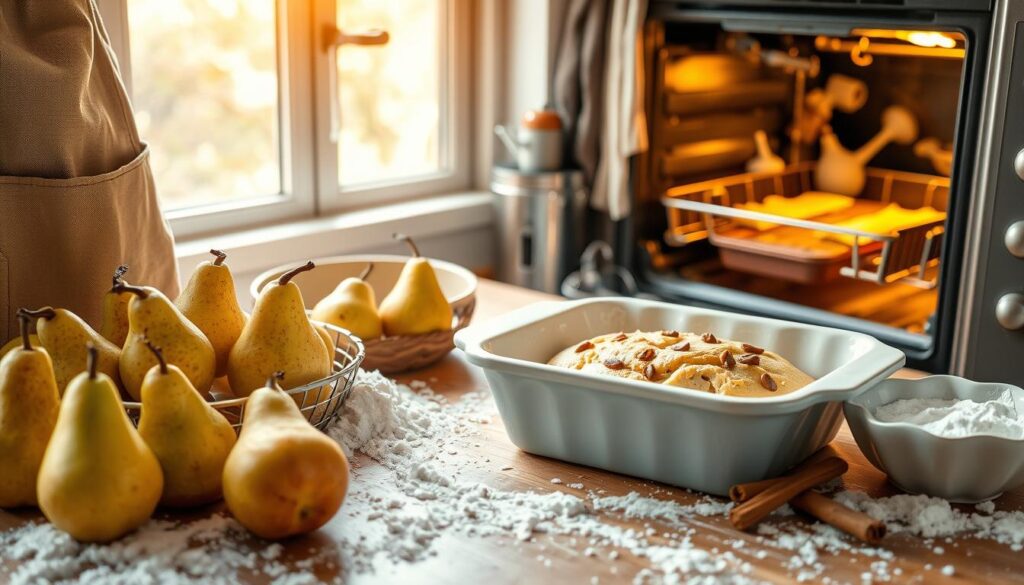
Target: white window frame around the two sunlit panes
309,158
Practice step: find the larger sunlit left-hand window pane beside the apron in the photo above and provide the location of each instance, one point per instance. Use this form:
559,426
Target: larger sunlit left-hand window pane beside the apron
206,99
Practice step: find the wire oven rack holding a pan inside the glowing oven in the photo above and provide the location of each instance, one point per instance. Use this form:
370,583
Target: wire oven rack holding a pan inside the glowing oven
706,212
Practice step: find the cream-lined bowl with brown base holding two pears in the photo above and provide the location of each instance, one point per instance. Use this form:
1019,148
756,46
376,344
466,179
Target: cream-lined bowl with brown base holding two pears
390,355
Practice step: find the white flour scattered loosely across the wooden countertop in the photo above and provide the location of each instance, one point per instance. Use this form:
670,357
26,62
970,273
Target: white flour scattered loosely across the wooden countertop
430,485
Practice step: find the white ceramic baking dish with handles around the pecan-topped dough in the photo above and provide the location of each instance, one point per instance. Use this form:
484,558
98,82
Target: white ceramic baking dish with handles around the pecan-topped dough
691,439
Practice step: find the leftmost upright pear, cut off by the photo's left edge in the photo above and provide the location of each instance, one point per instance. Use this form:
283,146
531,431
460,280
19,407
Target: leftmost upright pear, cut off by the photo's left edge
29,404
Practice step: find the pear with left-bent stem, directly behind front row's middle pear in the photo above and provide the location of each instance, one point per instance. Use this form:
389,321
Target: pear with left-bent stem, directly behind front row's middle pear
153,317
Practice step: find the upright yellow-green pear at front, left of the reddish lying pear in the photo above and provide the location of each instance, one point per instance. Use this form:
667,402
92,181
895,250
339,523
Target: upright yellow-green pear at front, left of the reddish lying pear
99,480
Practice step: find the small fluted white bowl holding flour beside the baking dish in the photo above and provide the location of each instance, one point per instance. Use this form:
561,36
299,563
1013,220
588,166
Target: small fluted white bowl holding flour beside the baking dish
968,470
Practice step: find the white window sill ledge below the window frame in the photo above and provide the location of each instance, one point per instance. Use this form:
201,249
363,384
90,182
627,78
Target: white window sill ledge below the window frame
262,248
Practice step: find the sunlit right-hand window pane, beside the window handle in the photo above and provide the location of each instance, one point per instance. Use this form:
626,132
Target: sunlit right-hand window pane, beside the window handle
390,96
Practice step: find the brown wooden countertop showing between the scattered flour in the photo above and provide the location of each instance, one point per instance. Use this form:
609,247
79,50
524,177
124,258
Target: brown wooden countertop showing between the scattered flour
461,559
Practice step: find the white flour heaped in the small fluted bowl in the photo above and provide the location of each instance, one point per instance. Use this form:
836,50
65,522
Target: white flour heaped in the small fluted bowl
956,419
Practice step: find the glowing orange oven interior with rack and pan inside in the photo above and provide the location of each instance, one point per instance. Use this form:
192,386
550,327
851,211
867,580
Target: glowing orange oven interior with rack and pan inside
804,177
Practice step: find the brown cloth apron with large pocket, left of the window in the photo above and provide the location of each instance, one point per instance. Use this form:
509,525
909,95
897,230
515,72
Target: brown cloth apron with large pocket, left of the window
77,196
